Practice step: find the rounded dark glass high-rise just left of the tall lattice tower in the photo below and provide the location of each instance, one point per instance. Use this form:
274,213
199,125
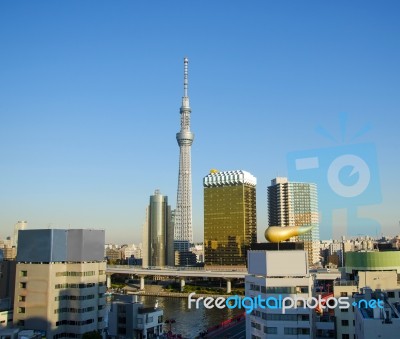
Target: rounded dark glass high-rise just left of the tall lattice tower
158,233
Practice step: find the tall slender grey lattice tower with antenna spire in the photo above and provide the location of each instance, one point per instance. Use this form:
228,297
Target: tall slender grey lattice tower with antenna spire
183,214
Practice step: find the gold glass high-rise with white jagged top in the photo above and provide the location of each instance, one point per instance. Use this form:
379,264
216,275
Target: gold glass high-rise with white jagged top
230,224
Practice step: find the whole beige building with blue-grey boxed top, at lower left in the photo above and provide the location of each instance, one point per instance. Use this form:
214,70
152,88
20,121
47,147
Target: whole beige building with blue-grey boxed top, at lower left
60,282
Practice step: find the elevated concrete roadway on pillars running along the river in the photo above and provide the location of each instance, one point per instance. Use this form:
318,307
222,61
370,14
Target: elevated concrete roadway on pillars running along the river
179,272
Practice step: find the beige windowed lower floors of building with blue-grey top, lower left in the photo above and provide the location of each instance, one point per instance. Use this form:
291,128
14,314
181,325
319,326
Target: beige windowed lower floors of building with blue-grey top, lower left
63,297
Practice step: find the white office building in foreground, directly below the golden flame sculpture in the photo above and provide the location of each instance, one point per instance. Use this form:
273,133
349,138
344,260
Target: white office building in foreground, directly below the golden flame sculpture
277,275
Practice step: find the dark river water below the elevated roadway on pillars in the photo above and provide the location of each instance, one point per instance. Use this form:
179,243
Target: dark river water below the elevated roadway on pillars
188,322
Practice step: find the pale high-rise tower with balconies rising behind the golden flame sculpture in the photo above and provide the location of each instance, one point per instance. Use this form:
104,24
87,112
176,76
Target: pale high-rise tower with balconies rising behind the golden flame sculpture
296,204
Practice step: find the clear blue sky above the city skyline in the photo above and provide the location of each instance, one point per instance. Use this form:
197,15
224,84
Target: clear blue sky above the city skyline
90,94
